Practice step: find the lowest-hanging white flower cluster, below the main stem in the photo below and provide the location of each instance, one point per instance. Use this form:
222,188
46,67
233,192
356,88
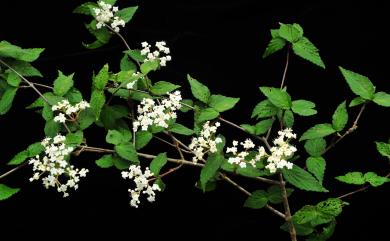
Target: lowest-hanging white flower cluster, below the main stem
141,183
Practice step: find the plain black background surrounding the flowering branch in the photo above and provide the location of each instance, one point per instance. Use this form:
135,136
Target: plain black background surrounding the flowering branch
220,43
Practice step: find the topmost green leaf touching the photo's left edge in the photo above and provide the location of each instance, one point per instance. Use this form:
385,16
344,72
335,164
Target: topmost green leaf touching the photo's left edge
15,52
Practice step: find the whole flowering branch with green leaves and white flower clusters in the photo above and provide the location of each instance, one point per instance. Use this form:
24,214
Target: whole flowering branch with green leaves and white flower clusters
149,113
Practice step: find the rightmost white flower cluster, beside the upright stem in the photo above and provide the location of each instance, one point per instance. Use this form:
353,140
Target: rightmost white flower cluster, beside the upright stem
281,151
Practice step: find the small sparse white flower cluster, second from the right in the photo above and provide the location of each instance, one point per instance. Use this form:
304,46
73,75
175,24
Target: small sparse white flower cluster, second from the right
242,158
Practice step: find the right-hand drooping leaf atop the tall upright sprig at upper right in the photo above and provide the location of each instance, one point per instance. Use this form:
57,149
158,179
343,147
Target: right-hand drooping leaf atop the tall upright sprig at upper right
306,50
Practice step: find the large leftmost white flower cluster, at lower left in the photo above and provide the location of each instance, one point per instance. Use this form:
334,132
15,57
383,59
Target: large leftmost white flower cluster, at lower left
55,166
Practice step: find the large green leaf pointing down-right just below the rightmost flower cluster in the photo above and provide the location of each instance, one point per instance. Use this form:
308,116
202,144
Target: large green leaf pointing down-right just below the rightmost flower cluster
302,179
